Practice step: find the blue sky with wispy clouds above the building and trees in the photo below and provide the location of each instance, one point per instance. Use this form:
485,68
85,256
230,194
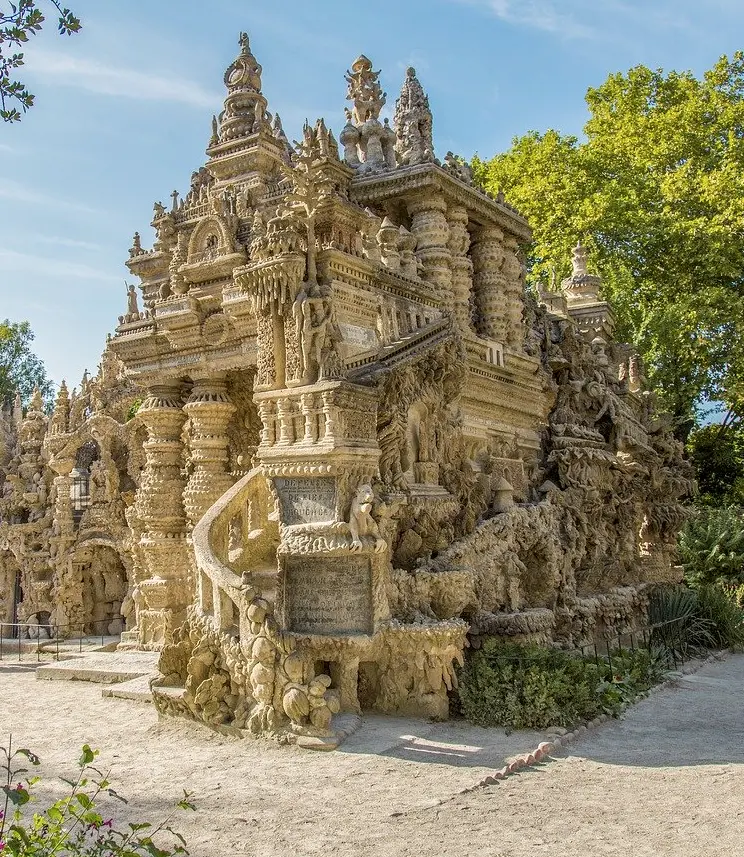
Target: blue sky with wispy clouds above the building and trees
123,112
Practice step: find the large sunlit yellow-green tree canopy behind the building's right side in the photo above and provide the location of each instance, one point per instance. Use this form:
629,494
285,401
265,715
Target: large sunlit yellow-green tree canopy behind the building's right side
656,190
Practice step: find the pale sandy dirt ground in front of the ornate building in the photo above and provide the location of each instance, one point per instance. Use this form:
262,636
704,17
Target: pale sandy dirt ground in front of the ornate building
668,779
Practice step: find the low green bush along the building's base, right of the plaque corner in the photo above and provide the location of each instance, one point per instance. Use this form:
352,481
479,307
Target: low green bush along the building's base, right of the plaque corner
522,687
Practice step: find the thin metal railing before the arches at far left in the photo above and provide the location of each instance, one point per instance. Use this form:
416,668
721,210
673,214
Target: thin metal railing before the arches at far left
13,641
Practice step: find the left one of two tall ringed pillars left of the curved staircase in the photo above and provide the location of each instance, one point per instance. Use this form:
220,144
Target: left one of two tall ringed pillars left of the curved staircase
166,592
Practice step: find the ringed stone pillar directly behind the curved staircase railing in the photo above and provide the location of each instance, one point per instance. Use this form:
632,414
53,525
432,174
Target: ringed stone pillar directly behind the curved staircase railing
209,410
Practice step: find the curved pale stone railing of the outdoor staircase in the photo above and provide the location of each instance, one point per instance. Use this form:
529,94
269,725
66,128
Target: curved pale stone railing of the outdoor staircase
236,536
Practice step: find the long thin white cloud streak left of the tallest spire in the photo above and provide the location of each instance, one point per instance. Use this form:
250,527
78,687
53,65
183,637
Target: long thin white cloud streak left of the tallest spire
94,76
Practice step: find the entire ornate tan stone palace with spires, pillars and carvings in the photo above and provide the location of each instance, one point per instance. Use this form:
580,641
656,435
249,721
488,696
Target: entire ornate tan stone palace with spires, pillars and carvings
358,438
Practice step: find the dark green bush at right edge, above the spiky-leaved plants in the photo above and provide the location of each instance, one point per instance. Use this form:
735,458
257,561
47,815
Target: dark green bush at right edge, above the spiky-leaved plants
711,547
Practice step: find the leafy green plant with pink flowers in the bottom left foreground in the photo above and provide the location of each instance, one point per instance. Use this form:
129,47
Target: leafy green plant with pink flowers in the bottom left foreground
73,825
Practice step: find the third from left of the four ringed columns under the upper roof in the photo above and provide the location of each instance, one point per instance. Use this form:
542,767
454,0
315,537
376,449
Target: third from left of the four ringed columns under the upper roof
488,254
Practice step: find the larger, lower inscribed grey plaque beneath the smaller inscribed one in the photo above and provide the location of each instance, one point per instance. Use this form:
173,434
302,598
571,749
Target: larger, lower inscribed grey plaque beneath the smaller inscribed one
330,595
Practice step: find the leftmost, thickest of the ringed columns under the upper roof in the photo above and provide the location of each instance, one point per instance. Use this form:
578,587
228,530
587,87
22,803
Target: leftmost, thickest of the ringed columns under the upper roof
429,225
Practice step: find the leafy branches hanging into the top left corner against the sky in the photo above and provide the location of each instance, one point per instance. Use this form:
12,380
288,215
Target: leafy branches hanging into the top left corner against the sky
19,21
